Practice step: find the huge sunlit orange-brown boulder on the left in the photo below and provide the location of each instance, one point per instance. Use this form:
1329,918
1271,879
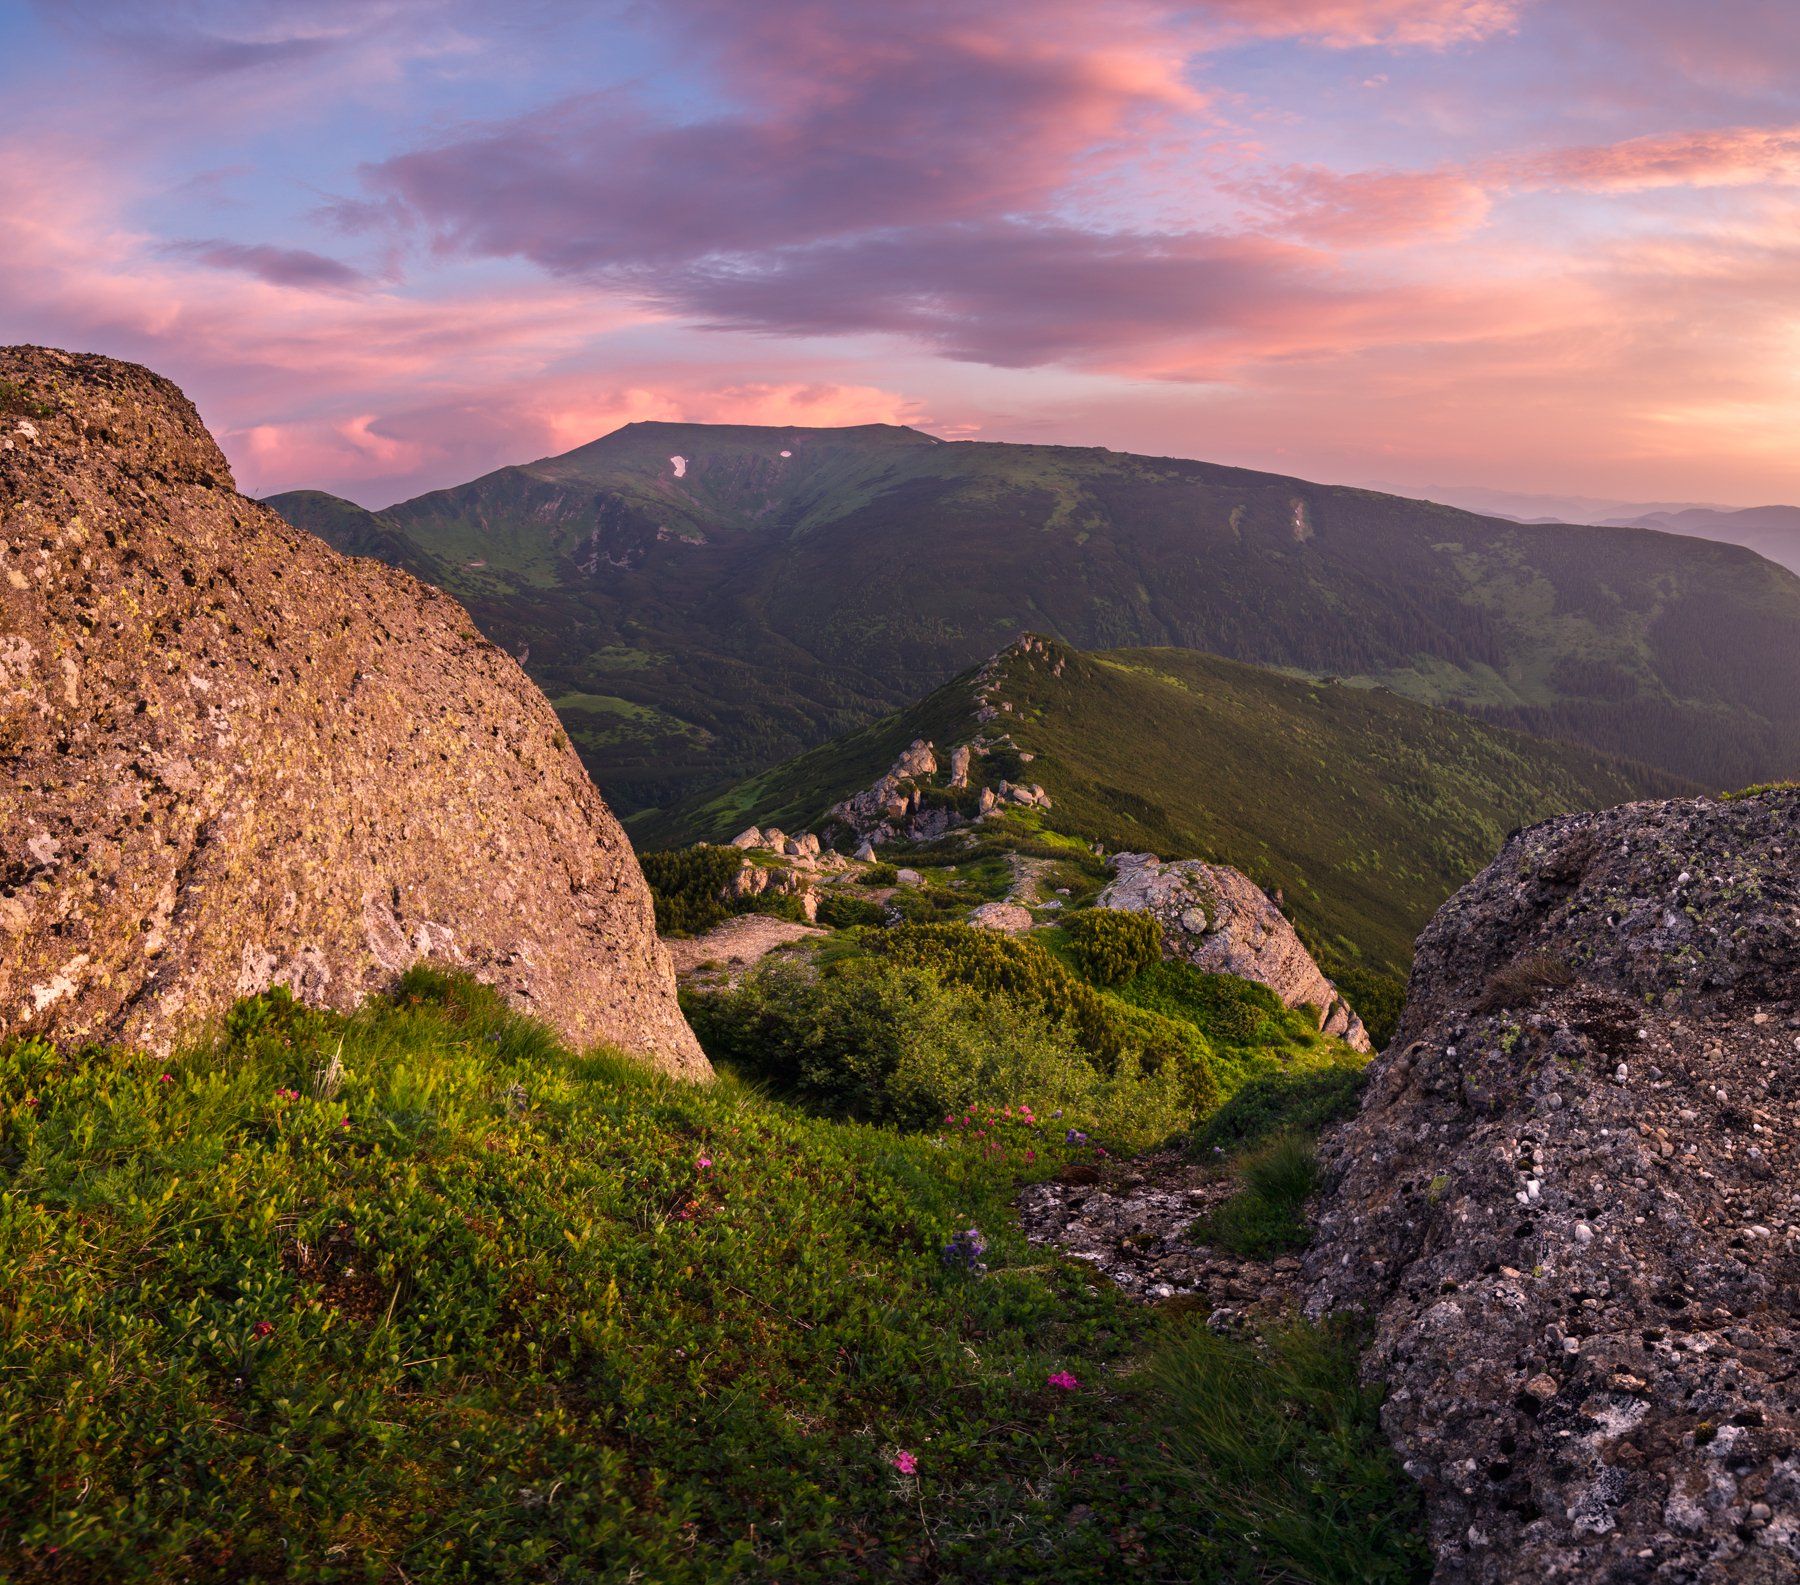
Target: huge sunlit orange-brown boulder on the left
231,758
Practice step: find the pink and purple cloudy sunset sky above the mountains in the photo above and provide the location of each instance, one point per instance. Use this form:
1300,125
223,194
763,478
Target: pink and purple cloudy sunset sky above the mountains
388,246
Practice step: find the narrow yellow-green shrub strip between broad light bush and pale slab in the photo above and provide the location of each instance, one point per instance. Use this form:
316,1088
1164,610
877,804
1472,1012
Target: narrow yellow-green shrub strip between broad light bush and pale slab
1029,976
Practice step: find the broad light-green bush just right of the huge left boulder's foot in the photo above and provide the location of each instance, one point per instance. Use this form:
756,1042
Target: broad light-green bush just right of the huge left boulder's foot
890,1043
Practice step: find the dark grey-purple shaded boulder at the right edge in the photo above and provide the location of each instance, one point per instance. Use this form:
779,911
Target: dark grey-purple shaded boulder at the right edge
1570,1204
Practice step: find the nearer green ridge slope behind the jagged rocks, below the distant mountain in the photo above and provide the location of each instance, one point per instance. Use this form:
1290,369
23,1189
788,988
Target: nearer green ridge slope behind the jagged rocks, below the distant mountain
1362,807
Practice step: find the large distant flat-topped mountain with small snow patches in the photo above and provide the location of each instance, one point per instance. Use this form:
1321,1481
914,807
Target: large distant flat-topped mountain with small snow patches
778,587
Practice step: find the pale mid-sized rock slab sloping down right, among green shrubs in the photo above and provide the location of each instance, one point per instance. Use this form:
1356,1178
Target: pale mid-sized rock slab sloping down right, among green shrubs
1219,920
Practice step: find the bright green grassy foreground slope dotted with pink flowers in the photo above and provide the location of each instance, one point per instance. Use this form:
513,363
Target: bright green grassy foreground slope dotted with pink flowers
418,1294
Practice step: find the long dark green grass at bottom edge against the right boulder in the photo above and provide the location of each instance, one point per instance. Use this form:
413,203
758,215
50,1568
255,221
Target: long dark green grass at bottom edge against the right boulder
1282,1444
